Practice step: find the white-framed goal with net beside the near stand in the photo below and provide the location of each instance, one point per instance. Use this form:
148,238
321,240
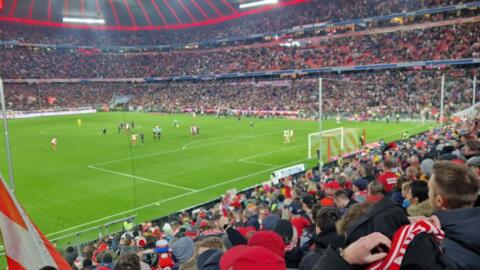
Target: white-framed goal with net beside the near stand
334,142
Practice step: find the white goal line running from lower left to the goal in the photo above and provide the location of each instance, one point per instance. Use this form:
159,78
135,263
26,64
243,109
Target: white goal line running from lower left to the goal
172,198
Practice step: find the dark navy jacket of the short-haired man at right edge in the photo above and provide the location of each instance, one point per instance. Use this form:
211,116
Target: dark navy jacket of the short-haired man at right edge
462,236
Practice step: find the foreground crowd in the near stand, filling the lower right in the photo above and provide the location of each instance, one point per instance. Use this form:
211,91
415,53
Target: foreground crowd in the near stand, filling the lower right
412,204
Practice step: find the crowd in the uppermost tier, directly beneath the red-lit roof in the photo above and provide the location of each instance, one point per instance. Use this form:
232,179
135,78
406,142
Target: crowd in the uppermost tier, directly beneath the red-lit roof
313,11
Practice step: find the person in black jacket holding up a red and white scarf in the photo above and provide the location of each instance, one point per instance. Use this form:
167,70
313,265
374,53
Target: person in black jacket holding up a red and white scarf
388,219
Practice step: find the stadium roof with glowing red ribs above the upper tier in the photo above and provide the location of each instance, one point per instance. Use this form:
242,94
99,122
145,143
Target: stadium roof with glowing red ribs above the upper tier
130,14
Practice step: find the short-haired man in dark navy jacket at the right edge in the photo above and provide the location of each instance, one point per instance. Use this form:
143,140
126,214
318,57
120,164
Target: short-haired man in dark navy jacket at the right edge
453,190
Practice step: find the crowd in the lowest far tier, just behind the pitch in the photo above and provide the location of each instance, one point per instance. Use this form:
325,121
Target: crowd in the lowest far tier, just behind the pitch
407,92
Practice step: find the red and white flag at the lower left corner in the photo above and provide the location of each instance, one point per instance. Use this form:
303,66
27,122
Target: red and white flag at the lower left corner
25,245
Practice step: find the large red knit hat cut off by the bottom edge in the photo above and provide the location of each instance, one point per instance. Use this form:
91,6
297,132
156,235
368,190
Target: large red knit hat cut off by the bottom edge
252,258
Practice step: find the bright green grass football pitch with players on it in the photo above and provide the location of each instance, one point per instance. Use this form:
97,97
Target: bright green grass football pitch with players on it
93,179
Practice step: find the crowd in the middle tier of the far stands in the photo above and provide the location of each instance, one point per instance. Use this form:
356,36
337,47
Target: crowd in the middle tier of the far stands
447,42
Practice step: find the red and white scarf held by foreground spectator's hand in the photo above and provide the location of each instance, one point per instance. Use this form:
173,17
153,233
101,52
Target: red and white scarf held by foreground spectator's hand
401,239
